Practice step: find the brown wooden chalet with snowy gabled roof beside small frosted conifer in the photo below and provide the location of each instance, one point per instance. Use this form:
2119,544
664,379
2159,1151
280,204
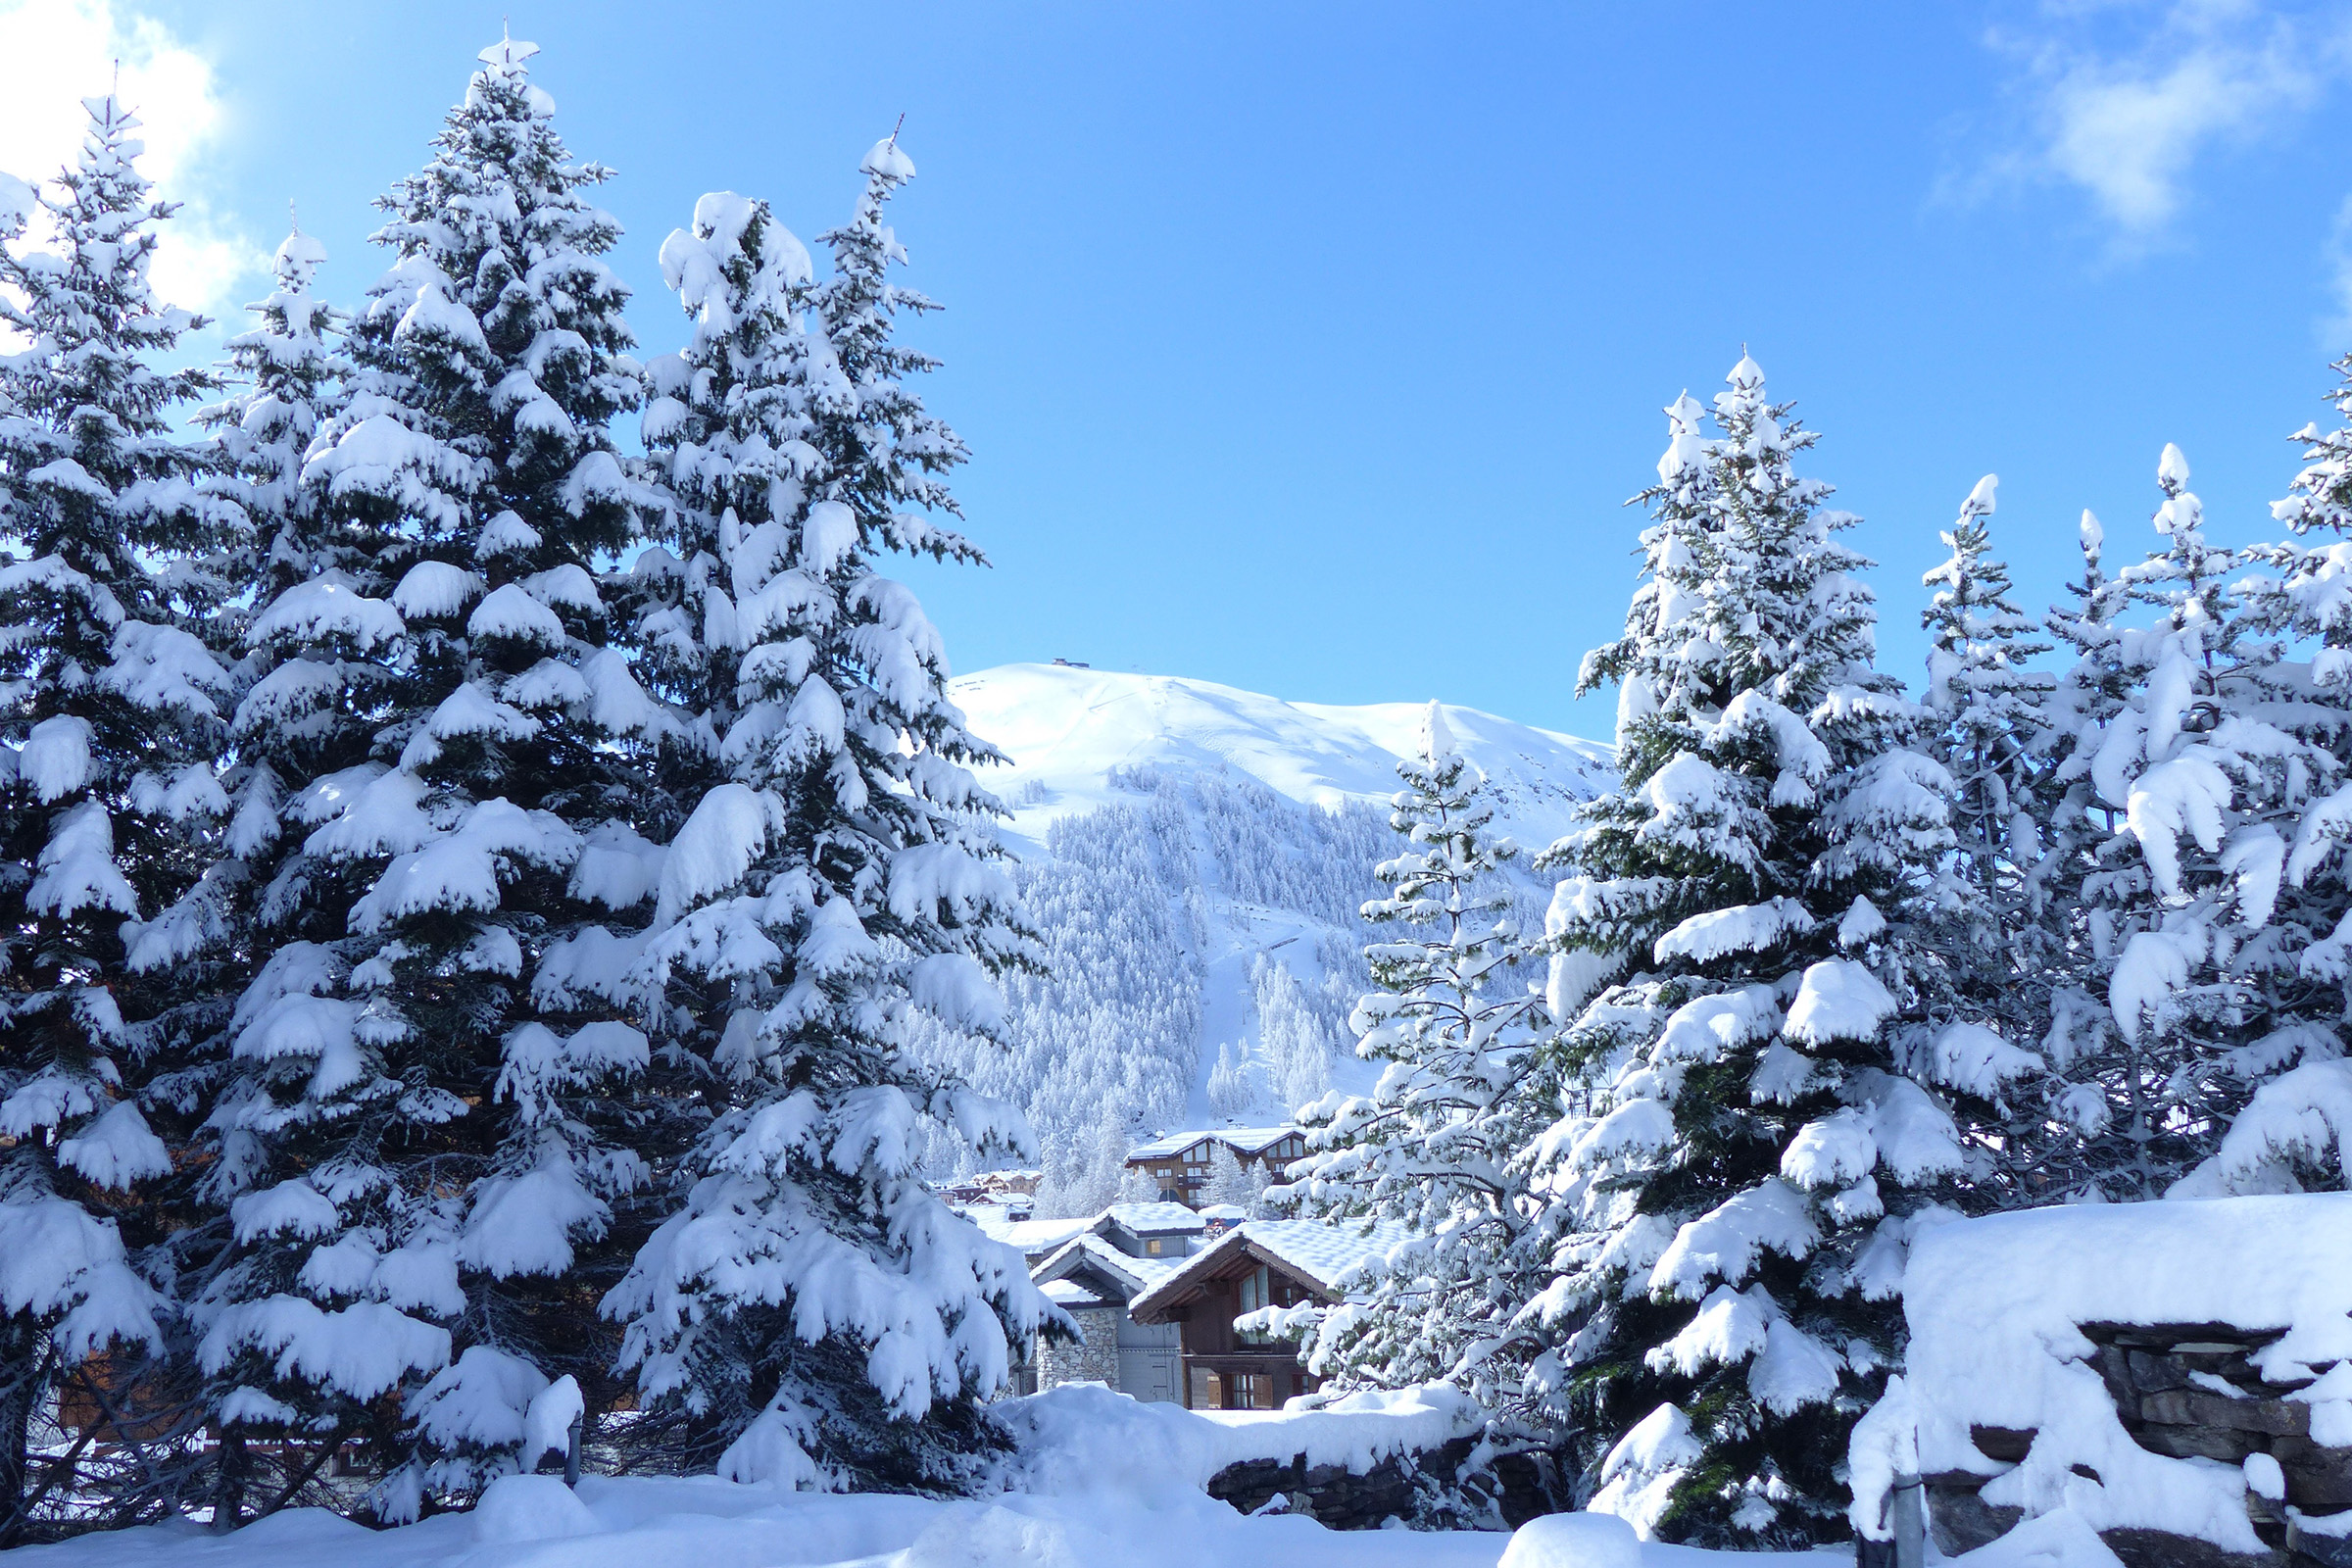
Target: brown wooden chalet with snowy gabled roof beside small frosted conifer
1262,1264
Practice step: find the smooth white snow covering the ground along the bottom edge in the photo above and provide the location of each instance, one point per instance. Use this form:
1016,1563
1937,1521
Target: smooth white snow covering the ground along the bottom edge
1102,1480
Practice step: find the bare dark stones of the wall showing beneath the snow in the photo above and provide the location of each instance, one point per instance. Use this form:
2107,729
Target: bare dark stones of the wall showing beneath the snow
2184,1391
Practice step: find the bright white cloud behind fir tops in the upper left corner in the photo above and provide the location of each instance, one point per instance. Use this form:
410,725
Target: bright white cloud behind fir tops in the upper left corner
67,51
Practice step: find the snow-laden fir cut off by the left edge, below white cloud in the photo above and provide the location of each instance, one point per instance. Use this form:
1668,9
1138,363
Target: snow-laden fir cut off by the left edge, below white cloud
112,713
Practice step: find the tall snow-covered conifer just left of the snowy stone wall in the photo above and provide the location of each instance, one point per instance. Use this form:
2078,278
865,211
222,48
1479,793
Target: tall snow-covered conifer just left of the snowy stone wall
1756,1160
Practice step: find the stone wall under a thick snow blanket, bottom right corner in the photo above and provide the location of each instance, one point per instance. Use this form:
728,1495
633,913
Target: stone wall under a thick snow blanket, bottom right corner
2174,1376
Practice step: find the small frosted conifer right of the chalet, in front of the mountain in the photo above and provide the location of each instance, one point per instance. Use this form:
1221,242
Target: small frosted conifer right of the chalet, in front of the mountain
1438,1144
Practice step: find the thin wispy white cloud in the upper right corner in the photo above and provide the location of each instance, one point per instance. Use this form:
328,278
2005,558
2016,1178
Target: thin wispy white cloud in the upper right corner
2125,98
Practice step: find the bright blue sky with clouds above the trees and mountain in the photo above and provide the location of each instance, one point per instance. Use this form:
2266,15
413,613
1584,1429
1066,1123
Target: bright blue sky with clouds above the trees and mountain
1316,347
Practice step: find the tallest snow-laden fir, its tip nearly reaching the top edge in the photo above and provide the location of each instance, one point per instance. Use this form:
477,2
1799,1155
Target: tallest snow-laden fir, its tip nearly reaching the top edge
432,1118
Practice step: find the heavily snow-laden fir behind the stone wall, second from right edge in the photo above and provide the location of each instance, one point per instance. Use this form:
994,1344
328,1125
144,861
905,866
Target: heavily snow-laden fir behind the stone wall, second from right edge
2207,880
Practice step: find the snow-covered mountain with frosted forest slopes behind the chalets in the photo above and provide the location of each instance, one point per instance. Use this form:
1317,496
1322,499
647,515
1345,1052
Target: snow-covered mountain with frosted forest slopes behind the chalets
1194,857
